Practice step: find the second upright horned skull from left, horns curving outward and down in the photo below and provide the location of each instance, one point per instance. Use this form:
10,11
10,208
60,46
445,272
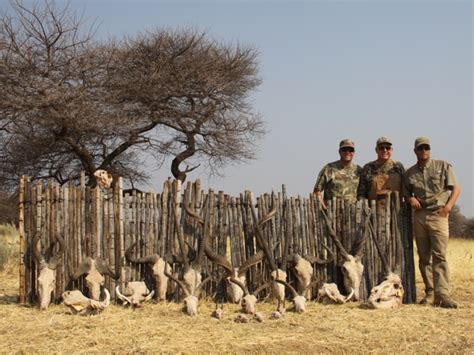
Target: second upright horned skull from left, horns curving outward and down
95,269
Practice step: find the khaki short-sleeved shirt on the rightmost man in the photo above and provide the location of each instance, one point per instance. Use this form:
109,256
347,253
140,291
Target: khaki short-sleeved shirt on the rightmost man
430,184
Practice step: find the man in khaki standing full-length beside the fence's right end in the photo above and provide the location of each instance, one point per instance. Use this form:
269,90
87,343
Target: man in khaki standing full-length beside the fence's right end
431,190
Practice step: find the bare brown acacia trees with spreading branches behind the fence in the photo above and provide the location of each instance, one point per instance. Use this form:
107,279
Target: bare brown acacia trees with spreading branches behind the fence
70,103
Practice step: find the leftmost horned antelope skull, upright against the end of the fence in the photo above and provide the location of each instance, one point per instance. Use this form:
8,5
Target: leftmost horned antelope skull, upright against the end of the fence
47,270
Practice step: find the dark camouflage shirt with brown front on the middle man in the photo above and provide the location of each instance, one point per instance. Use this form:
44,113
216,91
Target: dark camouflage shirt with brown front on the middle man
378,180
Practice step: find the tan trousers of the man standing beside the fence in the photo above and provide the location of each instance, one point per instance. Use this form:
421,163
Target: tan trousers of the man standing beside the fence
431,236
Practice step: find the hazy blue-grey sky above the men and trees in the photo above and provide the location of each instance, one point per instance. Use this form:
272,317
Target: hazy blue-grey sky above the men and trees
331,70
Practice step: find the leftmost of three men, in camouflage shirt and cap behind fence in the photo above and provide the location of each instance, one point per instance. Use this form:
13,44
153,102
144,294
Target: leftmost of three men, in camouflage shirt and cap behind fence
340,178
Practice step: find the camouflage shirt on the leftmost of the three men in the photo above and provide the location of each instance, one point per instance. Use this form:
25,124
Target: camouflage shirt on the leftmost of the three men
339,181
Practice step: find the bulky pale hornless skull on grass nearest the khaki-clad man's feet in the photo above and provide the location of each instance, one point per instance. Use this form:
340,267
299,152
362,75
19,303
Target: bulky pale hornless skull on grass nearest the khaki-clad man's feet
387,295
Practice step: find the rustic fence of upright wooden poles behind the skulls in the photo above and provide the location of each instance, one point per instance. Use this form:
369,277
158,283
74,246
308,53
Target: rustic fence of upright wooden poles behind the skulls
105,222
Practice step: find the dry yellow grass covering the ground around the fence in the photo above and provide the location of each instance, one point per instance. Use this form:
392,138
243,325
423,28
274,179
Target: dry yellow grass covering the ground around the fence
163,328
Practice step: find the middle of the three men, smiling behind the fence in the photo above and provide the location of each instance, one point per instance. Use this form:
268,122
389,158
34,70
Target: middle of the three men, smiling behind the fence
382,176
